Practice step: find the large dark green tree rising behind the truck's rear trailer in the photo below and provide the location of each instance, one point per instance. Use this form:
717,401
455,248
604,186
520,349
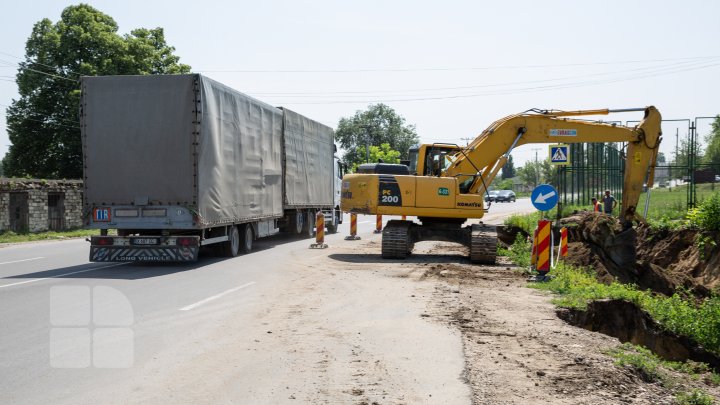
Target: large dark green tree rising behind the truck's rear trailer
43,125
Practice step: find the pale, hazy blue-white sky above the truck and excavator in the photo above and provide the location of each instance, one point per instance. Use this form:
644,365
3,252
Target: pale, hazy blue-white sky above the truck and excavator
450,68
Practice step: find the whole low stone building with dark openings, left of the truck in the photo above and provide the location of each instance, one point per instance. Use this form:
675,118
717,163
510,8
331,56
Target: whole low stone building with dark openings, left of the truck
40,205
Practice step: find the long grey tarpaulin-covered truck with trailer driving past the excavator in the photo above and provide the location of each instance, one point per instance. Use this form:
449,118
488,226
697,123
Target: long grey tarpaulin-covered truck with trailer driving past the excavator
176,163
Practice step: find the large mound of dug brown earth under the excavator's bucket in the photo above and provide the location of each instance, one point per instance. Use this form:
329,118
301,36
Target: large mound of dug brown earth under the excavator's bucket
656,259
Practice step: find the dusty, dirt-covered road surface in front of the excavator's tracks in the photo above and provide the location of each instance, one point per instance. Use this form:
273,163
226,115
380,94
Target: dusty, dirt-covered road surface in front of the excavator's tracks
347,327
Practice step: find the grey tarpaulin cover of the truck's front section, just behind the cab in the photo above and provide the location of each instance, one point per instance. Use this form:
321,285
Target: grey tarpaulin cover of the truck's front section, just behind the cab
308,161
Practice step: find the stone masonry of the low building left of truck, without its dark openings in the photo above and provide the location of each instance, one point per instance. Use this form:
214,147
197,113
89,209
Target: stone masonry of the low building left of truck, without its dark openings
37,191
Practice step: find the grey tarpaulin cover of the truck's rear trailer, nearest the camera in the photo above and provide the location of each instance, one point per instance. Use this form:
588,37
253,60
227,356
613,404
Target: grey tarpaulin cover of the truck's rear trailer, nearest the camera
181,140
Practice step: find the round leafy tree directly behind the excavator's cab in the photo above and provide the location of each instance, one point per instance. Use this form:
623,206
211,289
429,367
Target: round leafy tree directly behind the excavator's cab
375,126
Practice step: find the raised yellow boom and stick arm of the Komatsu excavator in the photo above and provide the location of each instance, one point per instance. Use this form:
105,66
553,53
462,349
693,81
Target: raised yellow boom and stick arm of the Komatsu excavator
478,163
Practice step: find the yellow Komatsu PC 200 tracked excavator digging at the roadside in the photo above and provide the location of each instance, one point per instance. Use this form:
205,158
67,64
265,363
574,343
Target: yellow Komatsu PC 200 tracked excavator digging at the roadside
444,185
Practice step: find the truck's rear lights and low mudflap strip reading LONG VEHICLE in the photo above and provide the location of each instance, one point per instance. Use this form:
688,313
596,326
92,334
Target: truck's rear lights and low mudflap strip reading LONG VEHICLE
154,249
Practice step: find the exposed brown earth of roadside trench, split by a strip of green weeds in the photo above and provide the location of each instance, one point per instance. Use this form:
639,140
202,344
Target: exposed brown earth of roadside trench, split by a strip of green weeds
660,261
